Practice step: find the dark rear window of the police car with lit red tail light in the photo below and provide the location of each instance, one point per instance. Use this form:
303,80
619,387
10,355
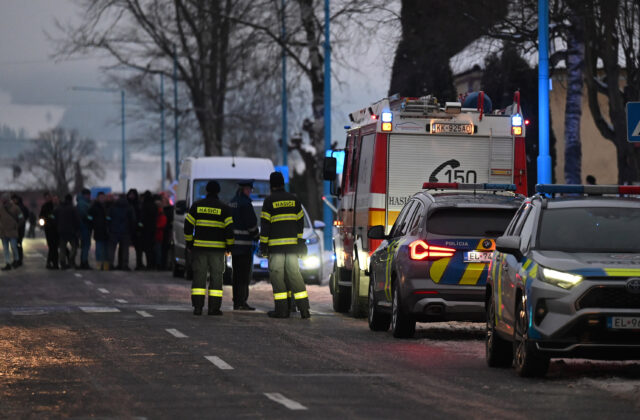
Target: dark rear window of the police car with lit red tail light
469,221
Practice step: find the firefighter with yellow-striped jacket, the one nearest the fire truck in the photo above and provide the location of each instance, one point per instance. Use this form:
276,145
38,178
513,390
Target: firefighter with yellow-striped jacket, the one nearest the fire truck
282,224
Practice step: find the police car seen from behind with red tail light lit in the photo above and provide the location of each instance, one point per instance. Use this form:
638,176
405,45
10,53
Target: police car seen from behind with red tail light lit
433,264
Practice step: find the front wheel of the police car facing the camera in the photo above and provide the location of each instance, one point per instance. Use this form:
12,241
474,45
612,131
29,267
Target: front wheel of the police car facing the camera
527,360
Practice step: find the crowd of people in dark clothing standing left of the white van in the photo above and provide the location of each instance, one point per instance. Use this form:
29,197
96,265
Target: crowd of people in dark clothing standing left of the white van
116,223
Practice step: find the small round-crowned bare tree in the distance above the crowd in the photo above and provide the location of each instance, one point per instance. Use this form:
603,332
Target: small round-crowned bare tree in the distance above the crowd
60,157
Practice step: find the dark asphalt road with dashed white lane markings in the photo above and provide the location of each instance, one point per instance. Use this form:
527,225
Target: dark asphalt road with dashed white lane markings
91,344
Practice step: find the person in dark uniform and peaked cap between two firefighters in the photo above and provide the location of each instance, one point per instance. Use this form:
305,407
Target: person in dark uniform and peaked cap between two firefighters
245,231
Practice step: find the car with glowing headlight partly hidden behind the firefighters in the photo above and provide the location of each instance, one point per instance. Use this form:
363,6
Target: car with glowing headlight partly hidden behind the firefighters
311,264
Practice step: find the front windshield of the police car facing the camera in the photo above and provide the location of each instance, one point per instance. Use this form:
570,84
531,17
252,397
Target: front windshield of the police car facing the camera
590,229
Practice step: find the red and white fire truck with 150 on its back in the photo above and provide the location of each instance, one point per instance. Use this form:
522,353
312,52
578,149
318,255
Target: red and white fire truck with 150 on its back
392,148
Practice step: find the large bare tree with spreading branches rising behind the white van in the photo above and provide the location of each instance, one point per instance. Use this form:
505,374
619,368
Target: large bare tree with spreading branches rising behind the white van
143,35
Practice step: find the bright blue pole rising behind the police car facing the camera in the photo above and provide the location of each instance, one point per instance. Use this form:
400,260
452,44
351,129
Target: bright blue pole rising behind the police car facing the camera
544,159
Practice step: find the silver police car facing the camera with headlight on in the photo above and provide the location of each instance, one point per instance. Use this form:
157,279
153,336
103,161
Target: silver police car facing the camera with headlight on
565,279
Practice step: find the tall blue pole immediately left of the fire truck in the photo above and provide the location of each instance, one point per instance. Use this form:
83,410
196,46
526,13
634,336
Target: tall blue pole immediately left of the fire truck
328,216
